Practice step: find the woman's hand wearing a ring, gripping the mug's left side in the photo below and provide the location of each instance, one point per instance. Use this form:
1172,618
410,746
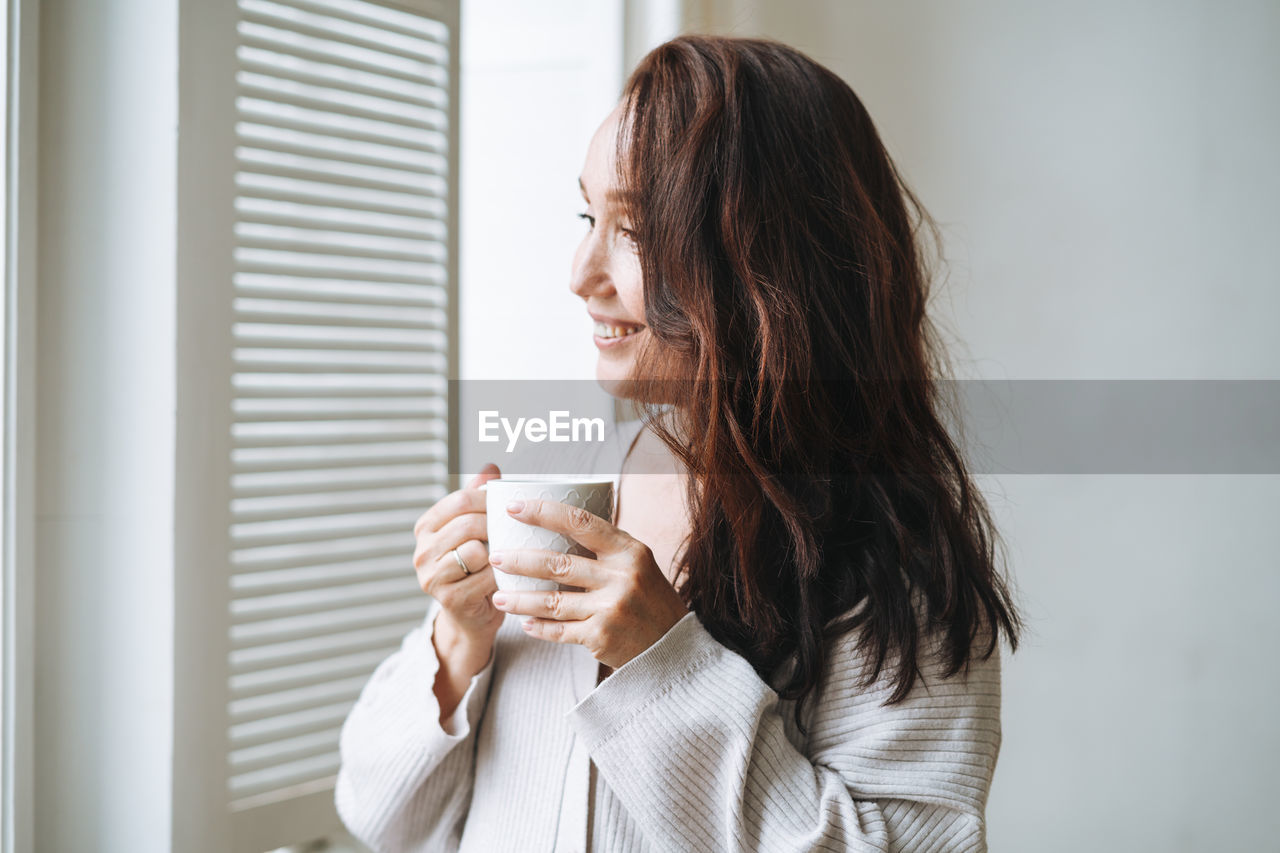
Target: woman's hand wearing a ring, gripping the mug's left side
459,521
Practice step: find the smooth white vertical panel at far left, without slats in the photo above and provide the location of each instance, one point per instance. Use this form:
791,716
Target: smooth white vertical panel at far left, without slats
106,421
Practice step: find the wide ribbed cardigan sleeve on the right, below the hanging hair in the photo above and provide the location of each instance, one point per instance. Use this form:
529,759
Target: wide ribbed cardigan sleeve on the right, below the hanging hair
698,750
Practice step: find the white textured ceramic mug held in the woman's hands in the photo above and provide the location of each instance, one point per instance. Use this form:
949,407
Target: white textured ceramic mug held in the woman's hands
506,533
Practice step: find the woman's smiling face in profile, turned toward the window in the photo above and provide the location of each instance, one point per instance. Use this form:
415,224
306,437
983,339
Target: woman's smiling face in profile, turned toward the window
606,266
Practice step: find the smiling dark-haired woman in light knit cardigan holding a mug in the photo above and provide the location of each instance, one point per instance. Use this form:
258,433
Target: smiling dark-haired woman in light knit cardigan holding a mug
807,655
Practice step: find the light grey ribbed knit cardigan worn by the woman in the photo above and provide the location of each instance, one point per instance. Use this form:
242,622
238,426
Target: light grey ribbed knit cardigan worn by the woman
683,749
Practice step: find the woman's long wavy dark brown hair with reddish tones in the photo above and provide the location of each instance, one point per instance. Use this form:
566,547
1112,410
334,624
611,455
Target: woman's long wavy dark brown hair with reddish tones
784,264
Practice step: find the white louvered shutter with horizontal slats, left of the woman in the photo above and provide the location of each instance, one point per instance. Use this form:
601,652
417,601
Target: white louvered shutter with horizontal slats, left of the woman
342,341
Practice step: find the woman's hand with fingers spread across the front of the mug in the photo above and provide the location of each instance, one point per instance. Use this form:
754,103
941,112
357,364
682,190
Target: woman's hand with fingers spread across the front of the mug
627,604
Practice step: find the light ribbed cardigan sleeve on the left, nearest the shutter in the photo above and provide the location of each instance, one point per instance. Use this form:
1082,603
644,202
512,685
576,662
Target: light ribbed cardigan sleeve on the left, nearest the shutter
405,782
